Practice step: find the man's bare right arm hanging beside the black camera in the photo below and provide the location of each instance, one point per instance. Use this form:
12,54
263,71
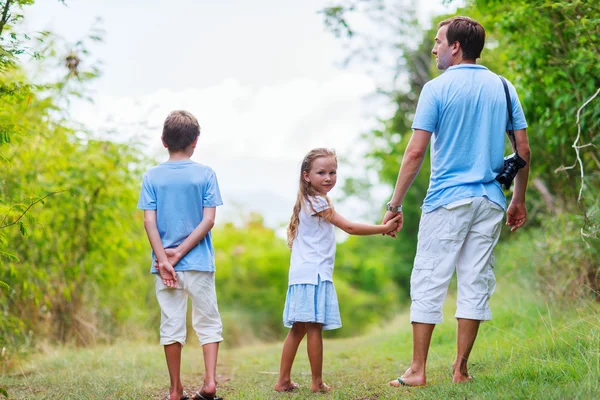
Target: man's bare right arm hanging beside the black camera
516,215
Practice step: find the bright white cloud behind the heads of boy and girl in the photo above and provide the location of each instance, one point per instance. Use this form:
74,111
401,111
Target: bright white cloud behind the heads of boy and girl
253,138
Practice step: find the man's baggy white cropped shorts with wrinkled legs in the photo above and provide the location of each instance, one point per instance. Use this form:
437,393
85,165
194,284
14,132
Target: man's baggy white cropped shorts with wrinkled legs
462,236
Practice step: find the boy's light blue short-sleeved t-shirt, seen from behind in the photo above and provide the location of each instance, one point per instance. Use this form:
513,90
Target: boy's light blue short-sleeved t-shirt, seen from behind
179,191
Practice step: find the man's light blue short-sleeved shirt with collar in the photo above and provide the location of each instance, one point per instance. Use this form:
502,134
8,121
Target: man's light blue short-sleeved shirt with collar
465,109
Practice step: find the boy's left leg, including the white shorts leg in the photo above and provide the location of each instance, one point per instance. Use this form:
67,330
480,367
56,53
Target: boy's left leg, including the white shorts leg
173,304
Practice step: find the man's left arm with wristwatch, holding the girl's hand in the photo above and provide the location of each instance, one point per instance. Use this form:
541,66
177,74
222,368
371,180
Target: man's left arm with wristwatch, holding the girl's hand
409,169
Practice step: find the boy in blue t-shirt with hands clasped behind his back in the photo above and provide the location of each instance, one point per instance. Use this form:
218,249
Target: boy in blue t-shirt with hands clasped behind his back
179,199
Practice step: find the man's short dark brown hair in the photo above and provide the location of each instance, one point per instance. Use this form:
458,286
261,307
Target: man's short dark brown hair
468,32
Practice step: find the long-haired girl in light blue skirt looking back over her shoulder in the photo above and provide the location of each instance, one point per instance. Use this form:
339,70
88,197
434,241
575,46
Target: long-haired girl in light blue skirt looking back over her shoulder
311,304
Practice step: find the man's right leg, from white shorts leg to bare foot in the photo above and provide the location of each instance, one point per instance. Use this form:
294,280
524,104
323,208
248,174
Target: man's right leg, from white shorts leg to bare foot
476,282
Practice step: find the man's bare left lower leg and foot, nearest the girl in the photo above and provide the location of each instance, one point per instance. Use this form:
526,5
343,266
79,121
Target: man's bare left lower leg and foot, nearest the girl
415,375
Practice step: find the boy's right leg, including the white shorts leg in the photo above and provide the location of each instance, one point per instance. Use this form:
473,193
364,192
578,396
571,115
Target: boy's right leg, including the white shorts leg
207,324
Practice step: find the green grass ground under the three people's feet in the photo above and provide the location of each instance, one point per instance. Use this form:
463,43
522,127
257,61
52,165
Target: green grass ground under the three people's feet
533,349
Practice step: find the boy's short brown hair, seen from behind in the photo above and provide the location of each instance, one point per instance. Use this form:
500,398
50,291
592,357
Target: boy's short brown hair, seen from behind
180,130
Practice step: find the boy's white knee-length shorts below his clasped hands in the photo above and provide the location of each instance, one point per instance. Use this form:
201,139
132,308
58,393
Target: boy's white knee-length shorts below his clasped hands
200,287
